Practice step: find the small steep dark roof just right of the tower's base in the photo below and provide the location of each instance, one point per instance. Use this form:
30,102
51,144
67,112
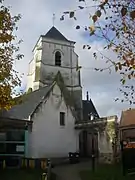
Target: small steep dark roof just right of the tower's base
88,107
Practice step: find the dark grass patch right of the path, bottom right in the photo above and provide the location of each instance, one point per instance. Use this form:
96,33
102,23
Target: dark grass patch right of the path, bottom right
105,172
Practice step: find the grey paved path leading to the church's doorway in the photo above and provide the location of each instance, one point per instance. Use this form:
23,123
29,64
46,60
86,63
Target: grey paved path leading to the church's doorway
70,171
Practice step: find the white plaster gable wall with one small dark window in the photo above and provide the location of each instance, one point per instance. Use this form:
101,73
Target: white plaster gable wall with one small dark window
48,138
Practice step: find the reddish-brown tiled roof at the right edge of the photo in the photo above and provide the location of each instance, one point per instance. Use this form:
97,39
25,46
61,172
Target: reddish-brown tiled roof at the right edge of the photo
127,117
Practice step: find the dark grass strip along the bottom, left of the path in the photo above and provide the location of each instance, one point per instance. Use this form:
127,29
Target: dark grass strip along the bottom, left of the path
14,174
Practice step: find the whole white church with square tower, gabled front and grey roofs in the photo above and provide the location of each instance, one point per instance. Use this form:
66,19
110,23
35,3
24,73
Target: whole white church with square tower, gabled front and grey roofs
43,124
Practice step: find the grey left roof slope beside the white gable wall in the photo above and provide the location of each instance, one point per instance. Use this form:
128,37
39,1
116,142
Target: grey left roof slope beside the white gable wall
23,110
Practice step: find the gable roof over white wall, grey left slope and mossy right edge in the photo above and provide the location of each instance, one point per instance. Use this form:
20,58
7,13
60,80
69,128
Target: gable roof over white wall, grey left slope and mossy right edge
33,100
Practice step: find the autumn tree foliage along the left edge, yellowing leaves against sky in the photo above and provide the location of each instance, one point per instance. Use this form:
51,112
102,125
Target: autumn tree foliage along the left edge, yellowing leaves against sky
9,52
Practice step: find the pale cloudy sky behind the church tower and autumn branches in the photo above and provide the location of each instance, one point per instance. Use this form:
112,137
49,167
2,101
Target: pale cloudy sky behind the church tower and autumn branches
37,19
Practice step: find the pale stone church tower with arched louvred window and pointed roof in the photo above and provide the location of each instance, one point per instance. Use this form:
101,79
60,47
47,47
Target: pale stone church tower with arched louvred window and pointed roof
53,53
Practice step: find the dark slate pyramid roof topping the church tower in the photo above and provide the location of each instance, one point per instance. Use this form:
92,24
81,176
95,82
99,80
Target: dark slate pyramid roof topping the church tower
53,33
